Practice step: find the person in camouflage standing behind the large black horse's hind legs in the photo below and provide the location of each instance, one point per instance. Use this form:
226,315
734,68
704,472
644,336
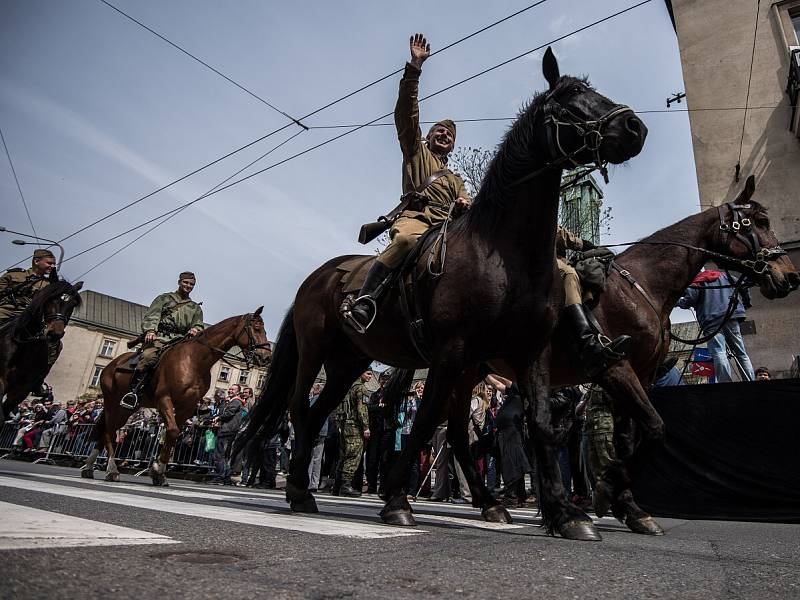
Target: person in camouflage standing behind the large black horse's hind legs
353,421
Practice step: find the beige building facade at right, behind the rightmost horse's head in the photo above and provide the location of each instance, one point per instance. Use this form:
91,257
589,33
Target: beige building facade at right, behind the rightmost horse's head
741,69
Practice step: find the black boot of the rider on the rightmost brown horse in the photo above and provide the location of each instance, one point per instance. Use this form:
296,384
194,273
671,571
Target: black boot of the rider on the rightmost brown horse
596,351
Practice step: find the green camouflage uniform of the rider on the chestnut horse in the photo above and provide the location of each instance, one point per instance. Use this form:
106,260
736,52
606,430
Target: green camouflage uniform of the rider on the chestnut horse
170,316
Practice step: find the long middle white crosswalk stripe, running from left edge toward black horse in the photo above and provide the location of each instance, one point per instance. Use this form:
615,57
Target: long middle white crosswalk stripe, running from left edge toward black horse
307,524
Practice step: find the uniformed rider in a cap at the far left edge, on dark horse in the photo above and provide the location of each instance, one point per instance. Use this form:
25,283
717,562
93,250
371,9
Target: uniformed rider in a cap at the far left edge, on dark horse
17,288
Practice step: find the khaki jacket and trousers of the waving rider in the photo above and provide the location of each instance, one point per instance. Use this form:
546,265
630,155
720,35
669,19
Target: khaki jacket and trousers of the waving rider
419,163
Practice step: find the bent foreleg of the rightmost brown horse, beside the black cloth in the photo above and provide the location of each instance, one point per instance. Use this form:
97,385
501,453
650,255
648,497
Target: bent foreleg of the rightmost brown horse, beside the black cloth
613,491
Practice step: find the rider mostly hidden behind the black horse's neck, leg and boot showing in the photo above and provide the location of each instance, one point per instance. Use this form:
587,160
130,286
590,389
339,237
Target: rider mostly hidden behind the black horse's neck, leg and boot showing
595,350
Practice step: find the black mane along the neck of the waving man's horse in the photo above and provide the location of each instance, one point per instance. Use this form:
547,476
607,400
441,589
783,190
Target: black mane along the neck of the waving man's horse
512,160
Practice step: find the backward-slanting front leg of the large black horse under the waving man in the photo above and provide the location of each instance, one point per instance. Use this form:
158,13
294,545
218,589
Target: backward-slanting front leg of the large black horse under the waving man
430,413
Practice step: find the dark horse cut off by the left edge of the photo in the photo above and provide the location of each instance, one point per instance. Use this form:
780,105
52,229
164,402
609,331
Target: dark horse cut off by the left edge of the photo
24,339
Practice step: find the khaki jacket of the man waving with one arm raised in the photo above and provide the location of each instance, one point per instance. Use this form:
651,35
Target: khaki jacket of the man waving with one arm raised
419,162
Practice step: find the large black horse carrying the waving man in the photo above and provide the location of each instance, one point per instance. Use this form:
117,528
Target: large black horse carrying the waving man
496,298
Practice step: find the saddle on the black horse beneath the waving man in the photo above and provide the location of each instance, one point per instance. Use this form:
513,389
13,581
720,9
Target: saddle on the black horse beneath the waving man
405,278
